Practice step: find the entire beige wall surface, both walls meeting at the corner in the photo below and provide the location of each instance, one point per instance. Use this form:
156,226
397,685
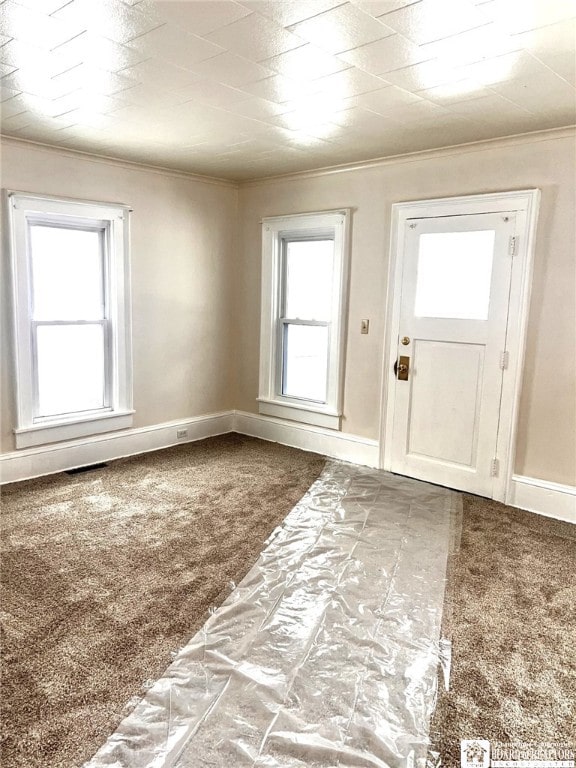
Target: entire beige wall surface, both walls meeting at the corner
196,279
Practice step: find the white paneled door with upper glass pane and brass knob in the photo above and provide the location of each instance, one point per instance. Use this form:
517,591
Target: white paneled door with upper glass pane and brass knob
451,348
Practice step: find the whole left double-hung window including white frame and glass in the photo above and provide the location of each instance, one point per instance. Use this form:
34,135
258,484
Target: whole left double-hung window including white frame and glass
71,318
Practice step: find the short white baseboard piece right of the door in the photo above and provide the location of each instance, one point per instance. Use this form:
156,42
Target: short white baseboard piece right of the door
548,499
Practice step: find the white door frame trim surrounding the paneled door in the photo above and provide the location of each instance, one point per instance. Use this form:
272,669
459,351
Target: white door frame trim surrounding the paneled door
525,204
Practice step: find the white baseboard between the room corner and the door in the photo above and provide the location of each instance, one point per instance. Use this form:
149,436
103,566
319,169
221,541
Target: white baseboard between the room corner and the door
338,445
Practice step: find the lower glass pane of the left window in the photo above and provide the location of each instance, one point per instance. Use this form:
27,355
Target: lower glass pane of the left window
70,368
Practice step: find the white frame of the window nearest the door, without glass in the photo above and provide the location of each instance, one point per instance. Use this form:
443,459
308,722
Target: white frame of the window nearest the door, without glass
275,231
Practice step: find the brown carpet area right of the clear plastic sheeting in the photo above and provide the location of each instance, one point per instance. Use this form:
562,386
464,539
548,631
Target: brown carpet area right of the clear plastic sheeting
511,611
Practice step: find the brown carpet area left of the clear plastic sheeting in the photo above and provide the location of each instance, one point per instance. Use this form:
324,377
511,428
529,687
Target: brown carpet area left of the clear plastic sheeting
106,573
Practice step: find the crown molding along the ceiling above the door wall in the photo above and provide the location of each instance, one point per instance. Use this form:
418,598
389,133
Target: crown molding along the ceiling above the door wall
549,134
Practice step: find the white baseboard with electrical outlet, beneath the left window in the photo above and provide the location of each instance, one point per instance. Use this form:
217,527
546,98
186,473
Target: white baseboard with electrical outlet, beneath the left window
45,460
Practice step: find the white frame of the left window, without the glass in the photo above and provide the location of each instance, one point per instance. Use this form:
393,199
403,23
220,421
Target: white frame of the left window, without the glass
23,210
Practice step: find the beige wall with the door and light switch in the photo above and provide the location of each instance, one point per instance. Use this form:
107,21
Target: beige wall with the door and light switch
547,443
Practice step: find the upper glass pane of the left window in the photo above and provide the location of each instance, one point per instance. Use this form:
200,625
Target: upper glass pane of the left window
67,279
